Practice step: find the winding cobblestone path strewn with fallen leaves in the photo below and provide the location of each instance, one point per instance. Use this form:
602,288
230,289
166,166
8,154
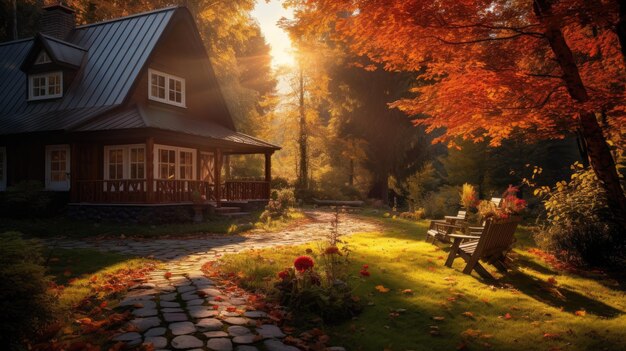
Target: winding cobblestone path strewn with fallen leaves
188,311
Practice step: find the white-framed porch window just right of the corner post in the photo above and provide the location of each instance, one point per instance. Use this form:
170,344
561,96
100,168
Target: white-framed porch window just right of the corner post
174,163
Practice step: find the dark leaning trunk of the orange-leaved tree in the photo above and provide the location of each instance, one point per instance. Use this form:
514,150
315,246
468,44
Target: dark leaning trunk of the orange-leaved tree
598,151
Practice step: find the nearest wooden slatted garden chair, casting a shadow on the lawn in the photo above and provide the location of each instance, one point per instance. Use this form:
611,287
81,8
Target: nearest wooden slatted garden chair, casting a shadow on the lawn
490,246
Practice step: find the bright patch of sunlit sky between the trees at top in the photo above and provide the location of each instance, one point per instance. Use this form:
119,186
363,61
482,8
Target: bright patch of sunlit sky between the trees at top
268,14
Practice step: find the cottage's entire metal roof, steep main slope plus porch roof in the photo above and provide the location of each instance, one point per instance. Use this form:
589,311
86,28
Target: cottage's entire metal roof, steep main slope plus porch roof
111,55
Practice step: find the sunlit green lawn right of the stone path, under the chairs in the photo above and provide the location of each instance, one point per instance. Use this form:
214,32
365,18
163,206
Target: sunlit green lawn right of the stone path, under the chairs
534,307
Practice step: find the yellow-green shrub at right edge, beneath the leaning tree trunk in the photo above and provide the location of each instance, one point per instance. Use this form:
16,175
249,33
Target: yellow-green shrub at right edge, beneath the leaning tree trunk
580,228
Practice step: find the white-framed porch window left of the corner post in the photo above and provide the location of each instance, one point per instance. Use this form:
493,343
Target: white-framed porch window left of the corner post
125,162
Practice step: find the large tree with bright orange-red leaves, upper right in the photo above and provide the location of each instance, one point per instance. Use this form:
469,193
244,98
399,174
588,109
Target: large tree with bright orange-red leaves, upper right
544,67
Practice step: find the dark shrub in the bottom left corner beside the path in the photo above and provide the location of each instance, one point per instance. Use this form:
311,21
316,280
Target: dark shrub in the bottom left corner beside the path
25,305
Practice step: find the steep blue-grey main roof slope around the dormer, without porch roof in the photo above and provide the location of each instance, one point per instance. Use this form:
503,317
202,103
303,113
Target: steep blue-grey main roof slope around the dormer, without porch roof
116,52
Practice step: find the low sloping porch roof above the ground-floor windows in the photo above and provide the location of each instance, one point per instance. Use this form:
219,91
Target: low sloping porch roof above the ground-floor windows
138,117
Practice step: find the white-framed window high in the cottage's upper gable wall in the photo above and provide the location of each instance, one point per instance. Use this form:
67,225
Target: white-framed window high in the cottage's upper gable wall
166,88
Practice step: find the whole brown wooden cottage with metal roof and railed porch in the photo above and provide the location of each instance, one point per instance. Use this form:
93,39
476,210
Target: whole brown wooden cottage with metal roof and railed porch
126,112
